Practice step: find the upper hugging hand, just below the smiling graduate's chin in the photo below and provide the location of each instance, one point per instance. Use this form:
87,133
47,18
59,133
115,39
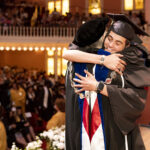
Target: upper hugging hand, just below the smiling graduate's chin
114,62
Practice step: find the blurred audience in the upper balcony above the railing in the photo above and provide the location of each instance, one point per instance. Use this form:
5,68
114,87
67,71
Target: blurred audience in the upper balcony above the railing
23,14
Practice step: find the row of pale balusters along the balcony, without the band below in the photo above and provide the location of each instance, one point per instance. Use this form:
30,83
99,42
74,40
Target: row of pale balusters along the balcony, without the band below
37,31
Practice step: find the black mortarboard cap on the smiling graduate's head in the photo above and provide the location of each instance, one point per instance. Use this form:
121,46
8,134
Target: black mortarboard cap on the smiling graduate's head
125,27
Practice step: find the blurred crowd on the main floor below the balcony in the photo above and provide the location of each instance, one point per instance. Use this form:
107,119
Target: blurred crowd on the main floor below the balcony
28,101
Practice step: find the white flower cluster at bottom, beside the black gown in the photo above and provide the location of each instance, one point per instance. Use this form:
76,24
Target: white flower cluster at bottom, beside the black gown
55,140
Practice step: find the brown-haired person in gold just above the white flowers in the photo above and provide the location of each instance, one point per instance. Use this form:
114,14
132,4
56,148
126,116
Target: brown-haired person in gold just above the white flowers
57,119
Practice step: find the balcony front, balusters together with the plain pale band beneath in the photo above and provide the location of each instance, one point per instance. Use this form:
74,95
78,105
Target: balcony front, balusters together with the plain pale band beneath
13,34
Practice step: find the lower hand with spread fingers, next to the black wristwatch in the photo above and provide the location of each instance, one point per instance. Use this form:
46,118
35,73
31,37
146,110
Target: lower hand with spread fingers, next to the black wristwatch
88,83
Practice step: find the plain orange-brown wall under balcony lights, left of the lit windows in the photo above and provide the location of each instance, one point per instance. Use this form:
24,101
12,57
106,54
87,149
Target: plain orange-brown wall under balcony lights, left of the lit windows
24,59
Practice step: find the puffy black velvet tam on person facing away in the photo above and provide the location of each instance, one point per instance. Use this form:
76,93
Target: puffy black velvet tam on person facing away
90,31
